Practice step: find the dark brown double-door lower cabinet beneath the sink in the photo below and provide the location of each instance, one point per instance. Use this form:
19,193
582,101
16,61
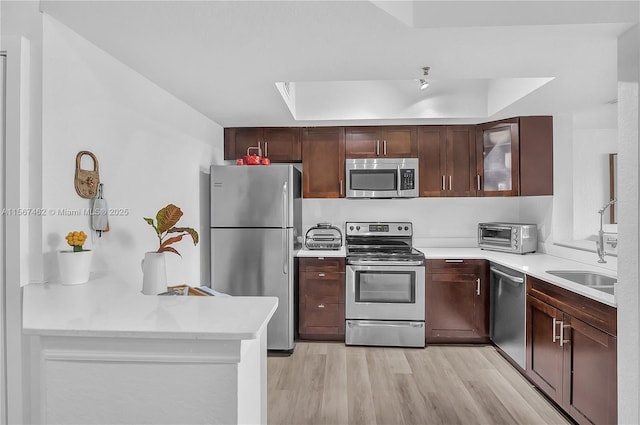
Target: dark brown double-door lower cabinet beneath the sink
571,351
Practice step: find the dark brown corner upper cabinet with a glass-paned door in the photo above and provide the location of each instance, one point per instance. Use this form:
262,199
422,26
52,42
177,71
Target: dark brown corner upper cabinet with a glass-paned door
515,157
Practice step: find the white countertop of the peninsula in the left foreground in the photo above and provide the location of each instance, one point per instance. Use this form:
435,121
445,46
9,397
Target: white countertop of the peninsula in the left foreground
107,307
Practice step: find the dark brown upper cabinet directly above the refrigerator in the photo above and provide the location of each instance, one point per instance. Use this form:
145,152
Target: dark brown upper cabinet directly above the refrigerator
279,144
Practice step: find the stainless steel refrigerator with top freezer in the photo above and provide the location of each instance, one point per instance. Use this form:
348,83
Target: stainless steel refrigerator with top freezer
255,221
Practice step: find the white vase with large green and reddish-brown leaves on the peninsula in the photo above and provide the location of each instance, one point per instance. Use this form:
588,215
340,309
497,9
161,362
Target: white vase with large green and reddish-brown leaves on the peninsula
154,271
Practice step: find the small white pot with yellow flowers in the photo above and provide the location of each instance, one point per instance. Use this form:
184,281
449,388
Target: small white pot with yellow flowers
75,264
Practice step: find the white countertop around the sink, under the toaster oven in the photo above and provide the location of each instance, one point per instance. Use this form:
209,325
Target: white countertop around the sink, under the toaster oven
534,264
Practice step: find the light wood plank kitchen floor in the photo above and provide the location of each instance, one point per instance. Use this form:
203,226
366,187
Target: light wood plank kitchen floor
330,383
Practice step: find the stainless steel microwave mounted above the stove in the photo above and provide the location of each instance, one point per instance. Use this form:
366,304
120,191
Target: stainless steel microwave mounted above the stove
382,178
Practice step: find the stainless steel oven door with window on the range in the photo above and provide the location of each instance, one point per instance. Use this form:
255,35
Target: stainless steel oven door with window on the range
385,292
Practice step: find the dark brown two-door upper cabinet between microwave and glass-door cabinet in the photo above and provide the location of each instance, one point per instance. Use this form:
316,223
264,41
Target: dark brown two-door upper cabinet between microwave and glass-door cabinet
447,157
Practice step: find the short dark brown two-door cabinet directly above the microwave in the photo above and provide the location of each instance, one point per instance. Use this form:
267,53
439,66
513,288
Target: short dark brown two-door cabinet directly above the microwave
381,142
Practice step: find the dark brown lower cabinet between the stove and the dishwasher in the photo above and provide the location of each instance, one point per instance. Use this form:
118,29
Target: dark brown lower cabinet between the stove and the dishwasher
457,301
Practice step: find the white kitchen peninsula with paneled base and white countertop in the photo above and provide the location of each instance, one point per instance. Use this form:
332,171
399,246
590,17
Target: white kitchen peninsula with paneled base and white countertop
102,352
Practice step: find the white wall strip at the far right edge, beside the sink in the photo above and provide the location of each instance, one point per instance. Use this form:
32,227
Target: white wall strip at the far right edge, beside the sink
627,292
